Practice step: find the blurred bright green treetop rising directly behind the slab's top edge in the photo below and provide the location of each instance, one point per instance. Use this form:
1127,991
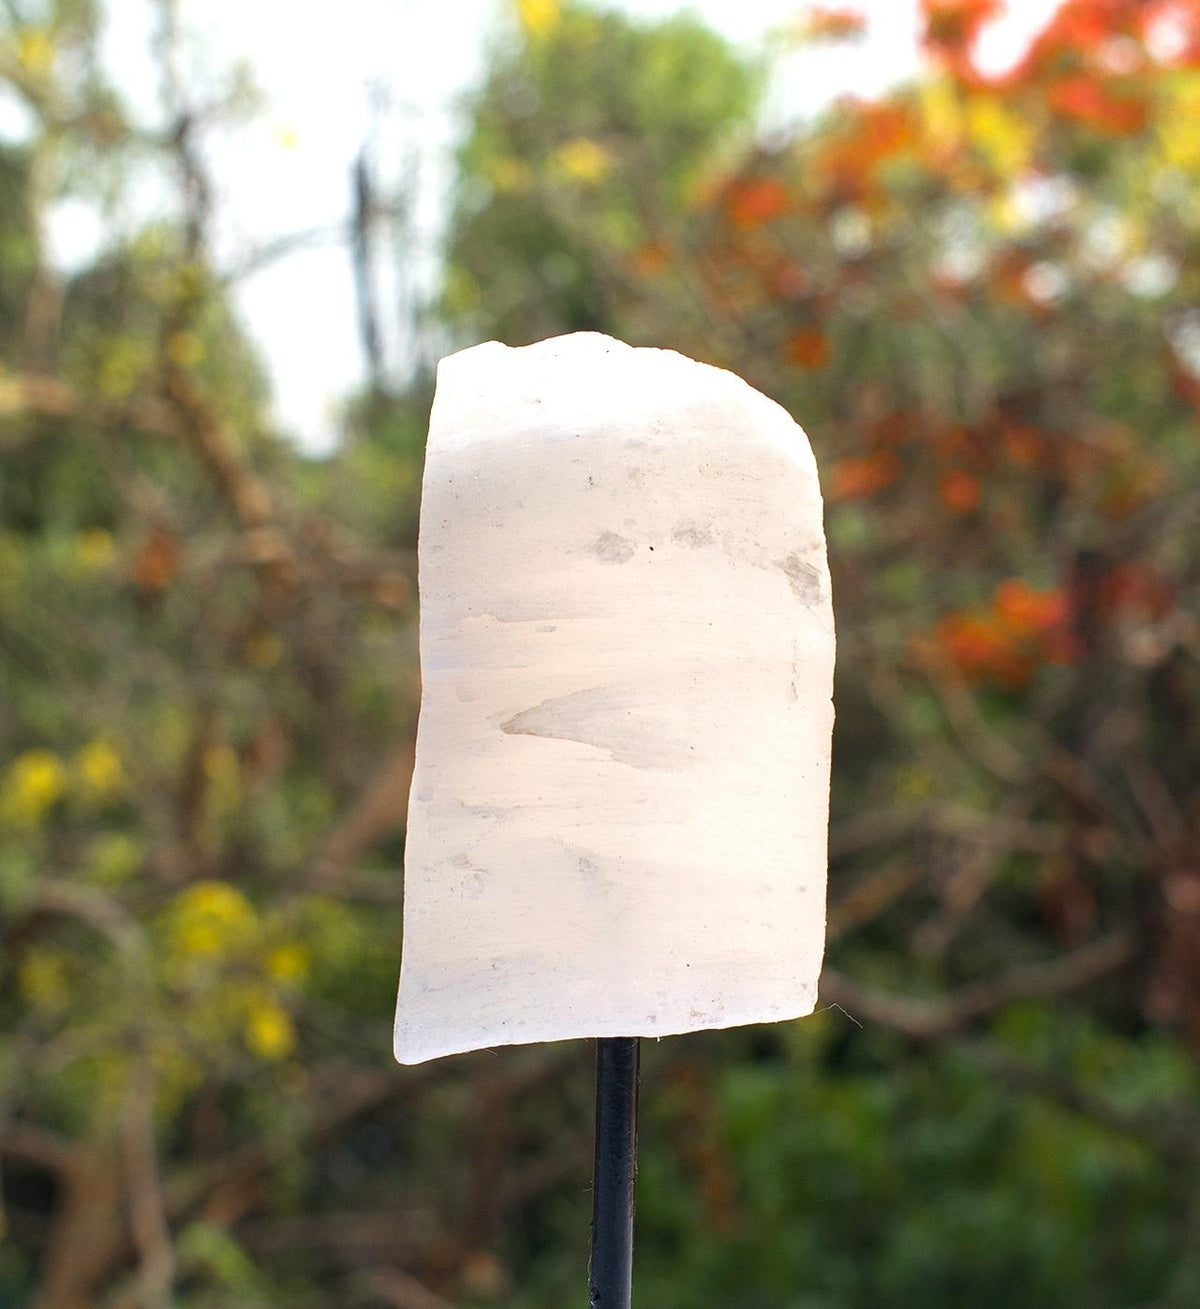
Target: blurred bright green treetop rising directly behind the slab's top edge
579,138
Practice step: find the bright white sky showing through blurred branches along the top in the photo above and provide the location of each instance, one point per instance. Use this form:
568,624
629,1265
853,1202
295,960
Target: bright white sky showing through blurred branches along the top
290,172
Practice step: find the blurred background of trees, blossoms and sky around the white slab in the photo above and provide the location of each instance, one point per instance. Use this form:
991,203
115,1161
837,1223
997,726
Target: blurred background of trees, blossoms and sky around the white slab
962,247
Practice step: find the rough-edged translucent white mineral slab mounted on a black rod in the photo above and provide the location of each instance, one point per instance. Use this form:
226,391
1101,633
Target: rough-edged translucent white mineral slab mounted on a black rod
620,810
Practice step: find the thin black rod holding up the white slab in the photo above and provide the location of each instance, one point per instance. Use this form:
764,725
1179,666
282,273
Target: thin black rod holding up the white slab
612,1270
